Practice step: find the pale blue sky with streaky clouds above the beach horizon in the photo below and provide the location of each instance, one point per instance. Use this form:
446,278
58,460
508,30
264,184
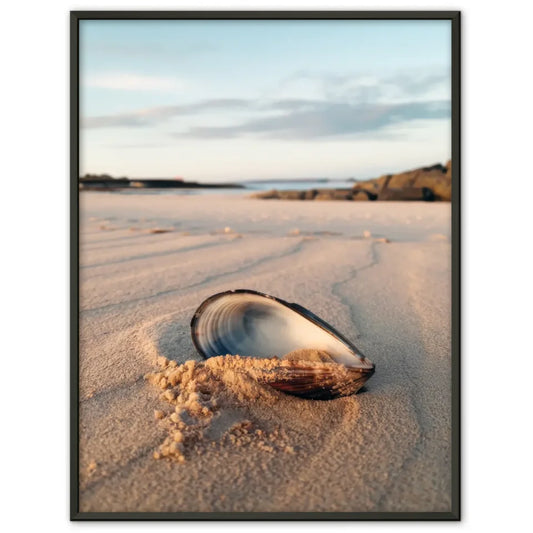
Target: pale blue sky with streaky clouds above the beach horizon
237,100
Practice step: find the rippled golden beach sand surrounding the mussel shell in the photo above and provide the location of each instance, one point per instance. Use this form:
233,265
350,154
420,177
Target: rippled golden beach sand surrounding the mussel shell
378,272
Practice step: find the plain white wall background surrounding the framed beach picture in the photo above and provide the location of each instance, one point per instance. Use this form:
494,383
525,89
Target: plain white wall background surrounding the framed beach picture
497,249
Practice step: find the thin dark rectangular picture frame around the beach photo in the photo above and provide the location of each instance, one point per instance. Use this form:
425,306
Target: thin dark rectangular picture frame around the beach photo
455,18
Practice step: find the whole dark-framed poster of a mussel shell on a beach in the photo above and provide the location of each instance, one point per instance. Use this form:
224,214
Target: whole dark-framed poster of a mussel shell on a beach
265,265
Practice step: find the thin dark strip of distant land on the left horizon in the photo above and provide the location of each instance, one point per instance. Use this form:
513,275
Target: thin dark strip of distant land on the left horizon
105,182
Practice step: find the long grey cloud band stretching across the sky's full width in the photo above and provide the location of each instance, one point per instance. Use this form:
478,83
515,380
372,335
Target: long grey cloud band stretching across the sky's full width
292,118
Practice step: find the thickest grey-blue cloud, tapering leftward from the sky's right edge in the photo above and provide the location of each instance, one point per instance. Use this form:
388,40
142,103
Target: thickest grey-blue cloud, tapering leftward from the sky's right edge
327,120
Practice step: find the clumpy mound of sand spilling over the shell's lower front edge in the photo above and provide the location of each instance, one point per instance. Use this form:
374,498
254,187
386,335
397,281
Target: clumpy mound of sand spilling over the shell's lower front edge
210,401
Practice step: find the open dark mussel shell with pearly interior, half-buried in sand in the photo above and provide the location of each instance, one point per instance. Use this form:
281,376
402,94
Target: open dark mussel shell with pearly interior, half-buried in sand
252,324
